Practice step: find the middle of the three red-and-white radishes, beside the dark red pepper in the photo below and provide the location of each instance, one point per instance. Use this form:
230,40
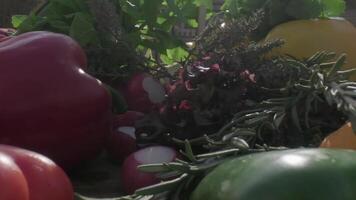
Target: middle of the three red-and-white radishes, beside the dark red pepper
122,141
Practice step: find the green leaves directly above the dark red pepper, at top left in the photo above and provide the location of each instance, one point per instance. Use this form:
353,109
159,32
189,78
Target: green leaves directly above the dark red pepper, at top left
64,16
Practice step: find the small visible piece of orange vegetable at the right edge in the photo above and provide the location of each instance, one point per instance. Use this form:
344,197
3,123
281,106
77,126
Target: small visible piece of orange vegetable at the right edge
343,138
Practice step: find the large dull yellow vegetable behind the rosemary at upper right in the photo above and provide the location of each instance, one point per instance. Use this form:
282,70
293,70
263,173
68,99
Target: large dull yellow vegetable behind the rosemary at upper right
303,38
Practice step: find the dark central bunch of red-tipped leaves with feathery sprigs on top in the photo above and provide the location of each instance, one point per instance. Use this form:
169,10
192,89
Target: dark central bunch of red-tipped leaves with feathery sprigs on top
214,84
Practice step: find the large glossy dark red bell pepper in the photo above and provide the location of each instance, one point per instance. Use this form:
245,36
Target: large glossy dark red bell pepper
48,103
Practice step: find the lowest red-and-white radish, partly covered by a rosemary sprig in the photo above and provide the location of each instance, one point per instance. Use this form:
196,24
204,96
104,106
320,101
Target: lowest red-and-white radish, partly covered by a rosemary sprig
133,179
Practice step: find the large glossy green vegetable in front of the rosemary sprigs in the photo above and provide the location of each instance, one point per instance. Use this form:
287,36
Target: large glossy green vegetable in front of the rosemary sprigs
297,174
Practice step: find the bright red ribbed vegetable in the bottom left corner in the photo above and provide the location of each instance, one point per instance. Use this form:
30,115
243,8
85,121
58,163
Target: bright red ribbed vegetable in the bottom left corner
26,175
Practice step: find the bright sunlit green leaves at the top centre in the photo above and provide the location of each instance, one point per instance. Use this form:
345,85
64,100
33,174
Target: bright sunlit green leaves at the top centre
155,21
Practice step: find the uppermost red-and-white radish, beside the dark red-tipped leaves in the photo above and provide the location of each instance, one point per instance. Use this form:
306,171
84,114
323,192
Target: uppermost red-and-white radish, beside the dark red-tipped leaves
143,93
